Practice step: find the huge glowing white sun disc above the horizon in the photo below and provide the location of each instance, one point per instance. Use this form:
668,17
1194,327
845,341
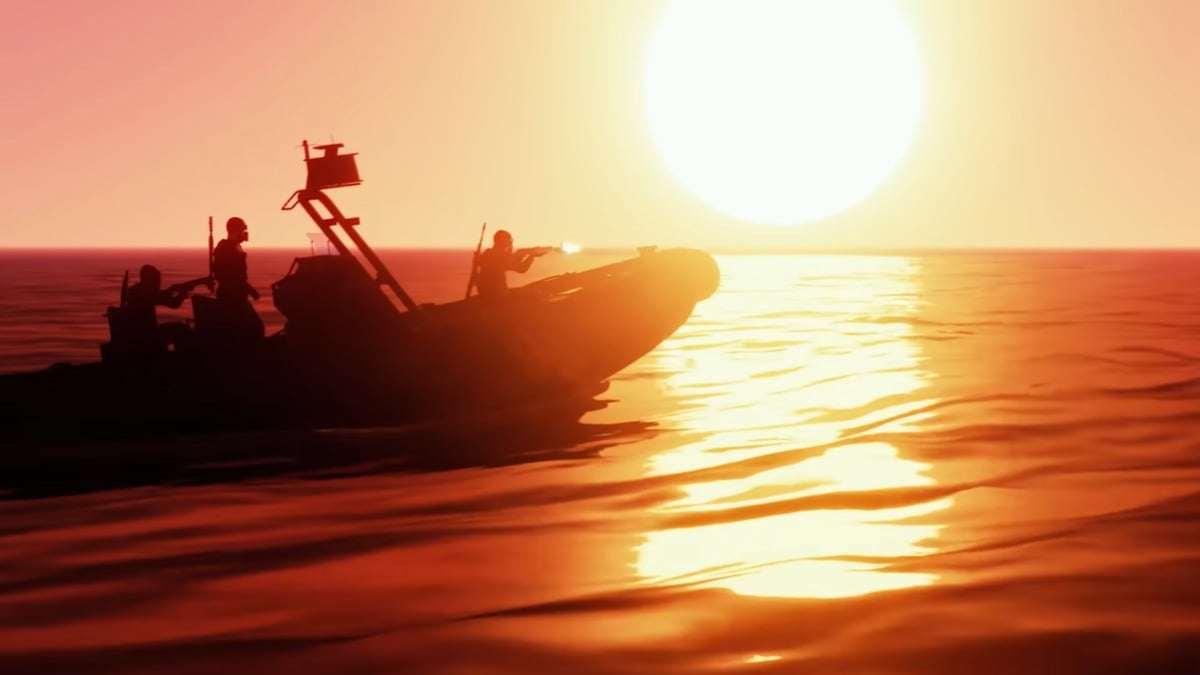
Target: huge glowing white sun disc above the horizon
783,112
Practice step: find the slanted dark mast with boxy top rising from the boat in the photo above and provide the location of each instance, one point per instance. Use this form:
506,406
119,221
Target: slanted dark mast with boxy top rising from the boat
328,171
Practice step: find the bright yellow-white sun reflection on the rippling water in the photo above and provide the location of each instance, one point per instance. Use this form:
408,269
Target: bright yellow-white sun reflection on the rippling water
772,391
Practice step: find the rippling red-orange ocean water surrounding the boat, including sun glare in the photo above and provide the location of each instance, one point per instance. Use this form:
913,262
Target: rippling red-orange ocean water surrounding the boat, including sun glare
939,463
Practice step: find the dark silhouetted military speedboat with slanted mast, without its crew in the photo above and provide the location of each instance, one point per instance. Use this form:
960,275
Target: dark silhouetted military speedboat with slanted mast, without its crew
358,351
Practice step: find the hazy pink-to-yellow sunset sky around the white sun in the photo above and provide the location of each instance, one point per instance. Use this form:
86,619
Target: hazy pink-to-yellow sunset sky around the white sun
129,123
